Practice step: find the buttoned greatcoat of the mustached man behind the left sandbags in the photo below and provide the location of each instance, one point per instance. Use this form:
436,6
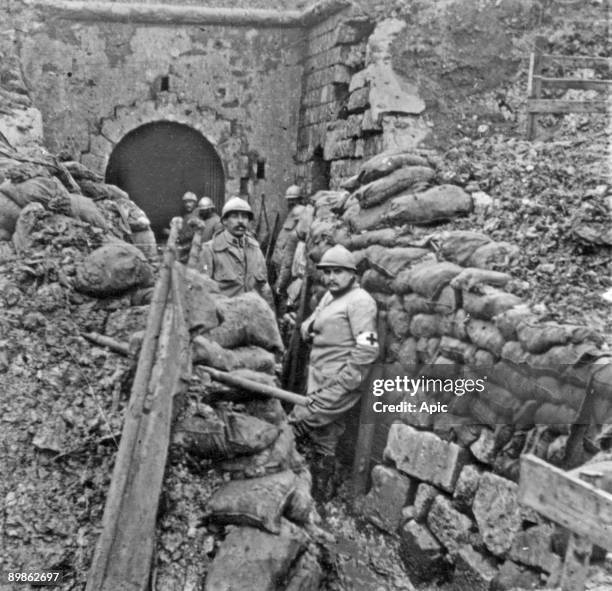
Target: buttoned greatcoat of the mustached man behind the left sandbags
236,264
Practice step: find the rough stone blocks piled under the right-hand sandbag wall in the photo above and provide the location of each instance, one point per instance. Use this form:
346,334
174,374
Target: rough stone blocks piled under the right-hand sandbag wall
456,518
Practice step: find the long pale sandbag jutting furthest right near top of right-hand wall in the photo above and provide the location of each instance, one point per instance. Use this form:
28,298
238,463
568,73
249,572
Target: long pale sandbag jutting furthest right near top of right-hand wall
441,203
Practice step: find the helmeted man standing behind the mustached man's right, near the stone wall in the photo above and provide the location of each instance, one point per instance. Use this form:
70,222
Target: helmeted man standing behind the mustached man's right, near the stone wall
287,240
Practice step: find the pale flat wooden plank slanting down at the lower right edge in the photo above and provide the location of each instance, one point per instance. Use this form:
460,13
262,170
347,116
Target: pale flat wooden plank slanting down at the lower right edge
565,499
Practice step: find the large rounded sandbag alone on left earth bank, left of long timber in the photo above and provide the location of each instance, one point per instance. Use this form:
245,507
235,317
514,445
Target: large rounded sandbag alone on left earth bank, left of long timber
113,269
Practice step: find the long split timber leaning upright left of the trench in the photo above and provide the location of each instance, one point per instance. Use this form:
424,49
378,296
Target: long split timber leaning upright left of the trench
124,551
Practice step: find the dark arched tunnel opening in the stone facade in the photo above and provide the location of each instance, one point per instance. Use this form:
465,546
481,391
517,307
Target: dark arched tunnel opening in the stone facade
158,162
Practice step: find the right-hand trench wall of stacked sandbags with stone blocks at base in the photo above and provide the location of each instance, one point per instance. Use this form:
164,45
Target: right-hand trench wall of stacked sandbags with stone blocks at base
448,479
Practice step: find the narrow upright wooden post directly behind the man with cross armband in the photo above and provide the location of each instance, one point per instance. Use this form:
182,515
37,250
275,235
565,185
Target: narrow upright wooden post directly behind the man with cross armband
367,417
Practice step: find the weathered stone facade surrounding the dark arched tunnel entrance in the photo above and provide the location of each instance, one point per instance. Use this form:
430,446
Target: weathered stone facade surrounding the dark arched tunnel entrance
95,81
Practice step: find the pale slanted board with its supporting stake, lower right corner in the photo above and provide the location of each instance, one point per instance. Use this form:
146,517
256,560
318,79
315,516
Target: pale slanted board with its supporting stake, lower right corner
568,500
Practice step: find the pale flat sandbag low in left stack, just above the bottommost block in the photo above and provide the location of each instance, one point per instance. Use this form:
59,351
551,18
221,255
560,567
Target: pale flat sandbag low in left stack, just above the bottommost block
259,502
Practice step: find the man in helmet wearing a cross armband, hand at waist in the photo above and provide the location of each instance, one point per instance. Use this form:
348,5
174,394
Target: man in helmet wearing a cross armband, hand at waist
342,330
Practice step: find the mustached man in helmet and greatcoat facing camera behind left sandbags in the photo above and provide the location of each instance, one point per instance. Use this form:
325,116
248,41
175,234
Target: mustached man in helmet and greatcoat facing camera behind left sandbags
233,257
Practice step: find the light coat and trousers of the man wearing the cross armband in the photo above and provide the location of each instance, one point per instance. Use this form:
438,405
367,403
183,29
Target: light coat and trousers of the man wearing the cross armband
344,345
